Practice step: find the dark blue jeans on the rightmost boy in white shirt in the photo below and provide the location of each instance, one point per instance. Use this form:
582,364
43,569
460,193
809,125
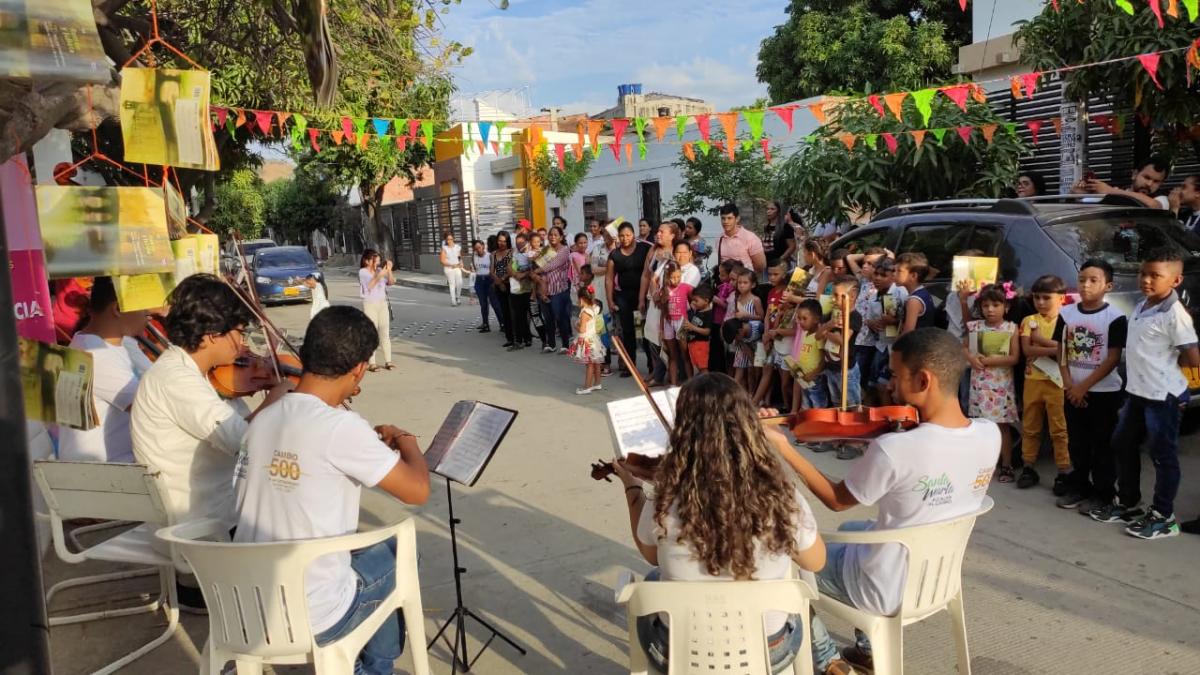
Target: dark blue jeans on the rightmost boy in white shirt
1157,426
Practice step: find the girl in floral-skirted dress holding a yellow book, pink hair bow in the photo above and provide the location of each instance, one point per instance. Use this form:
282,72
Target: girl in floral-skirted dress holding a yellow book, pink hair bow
993,350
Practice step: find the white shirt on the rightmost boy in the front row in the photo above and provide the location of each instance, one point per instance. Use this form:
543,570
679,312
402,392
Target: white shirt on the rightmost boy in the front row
1153,354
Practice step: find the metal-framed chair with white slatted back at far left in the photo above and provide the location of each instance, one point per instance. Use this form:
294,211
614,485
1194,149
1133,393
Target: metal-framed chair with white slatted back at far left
117,492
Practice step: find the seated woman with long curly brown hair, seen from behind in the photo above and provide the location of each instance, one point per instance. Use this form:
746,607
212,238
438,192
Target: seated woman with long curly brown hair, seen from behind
723,510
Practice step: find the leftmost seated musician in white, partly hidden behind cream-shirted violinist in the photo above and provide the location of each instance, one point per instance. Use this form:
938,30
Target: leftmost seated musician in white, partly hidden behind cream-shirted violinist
116,375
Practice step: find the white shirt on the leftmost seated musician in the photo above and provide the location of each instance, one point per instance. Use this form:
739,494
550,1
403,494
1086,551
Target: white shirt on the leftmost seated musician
115,385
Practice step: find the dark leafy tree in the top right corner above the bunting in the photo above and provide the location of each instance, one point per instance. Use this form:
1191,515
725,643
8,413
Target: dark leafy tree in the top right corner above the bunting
1099,32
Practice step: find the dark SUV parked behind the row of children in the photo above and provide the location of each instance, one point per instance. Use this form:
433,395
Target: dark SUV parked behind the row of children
1035,237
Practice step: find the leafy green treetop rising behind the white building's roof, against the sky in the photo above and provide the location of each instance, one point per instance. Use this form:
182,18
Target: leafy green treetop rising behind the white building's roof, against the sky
861,46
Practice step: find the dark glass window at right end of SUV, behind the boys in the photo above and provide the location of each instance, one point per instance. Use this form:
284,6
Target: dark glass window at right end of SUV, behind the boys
1123,241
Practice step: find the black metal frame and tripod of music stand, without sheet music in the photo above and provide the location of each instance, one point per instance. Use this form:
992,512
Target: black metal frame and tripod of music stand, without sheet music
443,446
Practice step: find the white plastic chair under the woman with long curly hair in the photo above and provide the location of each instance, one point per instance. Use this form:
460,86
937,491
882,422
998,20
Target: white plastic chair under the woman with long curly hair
717,626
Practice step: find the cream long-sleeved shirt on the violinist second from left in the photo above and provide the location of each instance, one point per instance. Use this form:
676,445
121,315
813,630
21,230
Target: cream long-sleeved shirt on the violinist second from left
183,429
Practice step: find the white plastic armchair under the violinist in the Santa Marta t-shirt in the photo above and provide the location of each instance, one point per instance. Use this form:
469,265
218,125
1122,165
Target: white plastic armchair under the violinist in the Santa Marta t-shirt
934,584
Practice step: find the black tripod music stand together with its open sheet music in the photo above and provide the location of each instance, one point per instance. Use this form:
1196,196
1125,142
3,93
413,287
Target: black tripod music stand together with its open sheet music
460,452
